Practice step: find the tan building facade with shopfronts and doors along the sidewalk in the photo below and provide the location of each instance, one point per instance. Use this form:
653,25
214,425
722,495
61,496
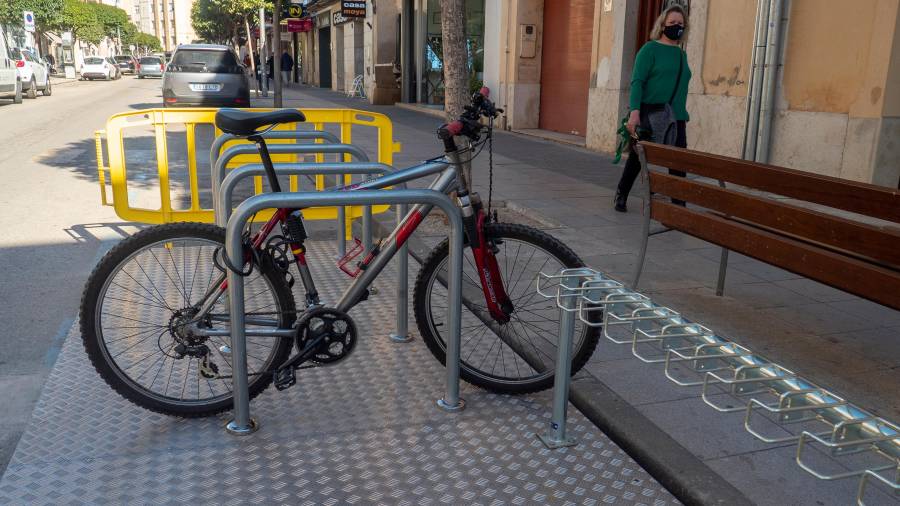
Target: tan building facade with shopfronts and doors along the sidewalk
822,95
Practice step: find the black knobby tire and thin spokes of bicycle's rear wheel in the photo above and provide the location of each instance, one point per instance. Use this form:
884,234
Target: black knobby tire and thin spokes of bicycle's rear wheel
92,325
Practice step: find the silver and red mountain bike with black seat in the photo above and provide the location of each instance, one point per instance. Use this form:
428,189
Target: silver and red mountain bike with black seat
168,352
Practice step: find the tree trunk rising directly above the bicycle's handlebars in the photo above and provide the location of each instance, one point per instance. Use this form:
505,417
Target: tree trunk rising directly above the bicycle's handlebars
456,71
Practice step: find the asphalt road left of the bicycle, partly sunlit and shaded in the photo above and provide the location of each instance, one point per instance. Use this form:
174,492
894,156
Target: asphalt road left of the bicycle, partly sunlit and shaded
52,228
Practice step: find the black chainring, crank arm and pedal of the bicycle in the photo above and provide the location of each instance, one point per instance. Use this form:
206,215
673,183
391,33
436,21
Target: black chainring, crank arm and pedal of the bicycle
324,336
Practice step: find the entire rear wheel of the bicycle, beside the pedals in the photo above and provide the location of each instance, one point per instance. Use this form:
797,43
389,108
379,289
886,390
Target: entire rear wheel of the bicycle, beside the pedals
141,303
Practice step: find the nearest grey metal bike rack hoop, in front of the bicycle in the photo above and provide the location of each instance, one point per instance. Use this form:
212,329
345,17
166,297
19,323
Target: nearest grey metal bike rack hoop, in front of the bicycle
242,424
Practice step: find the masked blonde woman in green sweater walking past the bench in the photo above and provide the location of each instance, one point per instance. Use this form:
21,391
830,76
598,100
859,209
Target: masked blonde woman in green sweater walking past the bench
659,86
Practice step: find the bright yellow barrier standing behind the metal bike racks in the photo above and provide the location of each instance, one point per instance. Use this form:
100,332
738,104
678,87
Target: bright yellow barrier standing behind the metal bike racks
116,173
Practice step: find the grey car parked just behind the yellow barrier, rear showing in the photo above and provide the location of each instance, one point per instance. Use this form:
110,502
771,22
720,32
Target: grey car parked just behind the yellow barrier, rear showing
205,74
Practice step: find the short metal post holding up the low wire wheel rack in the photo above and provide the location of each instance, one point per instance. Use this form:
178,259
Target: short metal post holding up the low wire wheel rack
555,437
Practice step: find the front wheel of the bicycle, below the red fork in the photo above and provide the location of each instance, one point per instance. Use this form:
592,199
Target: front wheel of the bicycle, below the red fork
516,357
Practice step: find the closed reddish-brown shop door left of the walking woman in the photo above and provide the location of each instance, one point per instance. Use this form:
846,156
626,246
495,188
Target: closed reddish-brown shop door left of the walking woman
566,65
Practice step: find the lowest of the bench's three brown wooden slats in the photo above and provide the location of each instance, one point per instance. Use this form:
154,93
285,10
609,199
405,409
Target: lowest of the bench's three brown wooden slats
844,273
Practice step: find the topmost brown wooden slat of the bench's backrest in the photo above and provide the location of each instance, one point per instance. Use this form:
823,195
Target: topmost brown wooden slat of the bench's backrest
863,198
